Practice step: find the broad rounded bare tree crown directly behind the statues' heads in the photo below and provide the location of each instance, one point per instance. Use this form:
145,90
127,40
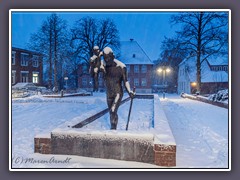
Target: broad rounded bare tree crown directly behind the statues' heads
88,32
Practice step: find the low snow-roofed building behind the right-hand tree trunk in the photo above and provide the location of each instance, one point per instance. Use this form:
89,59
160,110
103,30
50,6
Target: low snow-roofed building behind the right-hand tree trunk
214,75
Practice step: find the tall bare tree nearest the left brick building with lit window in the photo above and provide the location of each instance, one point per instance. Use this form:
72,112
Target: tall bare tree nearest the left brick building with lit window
52,40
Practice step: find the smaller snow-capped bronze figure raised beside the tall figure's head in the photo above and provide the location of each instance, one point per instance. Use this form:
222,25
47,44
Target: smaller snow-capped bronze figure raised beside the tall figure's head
95,63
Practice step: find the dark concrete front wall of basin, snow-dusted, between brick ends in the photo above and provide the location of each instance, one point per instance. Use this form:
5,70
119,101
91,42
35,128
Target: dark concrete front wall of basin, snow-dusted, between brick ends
121,146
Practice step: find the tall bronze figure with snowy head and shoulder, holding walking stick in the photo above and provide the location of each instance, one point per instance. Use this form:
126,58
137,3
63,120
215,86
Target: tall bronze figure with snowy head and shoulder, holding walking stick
115,75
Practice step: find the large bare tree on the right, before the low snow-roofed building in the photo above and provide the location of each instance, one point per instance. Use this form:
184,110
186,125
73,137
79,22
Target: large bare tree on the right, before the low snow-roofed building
203,34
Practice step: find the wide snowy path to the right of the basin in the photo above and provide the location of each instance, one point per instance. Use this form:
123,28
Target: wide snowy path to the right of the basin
200,131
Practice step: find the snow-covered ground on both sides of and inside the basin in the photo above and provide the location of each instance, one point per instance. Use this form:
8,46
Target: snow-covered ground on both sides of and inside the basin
200,130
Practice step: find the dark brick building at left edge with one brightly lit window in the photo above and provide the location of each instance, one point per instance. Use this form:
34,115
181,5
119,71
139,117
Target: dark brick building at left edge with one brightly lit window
27,66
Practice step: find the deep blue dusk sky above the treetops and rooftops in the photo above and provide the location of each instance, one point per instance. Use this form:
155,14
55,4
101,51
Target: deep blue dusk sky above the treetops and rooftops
147,28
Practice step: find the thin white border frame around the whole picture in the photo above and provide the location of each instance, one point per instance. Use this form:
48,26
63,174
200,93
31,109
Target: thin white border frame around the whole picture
117,10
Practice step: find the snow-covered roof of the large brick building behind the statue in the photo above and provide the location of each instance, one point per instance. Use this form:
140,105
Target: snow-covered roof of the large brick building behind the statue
132,53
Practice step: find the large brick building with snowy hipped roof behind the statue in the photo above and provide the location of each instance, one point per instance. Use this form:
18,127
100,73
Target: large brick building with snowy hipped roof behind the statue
138,64
